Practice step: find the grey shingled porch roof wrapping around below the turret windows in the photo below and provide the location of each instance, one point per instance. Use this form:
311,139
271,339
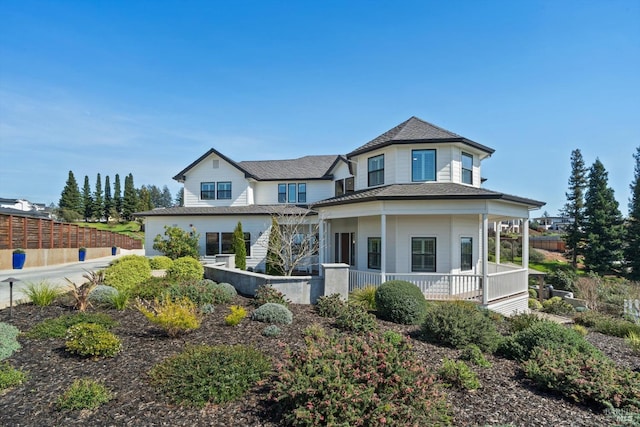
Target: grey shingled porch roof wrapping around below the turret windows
425,191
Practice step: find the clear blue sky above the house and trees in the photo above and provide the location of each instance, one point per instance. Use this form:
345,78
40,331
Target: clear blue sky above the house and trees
146,87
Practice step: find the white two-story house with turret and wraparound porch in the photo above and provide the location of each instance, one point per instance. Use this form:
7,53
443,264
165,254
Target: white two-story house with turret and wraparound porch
406,205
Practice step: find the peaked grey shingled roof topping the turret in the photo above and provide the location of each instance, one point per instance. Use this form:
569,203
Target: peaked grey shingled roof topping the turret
416,130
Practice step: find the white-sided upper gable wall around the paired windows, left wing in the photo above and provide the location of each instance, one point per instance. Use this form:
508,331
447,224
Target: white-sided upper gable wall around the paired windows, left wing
205,172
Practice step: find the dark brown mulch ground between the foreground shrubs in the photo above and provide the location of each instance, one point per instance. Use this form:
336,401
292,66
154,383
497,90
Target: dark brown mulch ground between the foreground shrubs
506,397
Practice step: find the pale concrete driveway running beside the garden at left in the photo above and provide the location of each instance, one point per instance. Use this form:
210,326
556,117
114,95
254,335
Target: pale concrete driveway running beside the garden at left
52,274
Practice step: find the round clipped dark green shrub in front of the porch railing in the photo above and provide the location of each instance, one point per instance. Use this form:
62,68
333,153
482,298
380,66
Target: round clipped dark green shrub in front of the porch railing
400,302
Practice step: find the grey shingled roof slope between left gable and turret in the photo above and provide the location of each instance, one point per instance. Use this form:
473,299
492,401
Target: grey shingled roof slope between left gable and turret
307,167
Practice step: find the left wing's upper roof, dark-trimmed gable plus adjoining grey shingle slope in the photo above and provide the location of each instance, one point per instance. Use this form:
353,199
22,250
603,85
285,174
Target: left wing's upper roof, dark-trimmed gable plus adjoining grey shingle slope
307,167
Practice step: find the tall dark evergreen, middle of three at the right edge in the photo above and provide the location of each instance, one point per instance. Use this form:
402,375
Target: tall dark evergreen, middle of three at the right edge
603,223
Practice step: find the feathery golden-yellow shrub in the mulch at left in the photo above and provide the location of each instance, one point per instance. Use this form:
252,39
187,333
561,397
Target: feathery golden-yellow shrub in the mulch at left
175,317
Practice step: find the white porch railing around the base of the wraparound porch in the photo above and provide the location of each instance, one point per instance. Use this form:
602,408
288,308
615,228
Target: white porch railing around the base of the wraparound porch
505,281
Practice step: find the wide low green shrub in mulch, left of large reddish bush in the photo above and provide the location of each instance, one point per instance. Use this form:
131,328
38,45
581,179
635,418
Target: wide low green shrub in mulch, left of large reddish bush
215,374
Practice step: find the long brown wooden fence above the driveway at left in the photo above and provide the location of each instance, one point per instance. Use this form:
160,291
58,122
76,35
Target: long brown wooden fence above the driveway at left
41,233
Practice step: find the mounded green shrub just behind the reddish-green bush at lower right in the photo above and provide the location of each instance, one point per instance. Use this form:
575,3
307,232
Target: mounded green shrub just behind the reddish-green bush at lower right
543,334
